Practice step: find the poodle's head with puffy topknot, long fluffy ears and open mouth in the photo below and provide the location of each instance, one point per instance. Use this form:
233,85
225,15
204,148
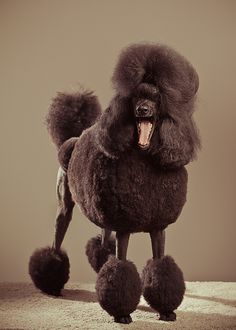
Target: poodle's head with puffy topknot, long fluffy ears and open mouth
153,106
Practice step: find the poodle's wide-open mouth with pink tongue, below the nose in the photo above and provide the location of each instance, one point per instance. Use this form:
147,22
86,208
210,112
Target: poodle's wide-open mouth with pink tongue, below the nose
145,130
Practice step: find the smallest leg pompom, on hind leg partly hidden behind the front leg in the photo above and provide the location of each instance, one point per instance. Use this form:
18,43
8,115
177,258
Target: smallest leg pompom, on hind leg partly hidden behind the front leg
98,254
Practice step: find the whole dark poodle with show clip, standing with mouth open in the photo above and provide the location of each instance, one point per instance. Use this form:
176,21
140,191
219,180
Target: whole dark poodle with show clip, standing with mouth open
125,168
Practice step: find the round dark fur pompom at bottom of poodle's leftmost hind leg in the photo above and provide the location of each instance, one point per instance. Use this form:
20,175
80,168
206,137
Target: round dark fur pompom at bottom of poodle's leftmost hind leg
49,270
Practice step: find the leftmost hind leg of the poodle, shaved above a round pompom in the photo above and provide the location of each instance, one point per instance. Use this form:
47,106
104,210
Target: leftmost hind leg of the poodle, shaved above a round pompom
49,266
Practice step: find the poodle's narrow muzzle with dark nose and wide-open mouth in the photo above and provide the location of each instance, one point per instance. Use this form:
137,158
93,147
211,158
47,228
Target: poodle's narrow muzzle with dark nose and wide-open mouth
145,113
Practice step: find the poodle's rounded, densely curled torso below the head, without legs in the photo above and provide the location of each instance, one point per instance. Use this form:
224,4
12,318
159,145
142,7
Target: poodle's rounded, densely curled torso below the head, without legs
129,193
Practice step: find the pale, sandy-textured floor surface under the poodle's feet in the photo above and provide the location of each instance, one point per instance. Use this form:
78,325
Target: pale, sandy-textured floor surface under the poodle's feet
207,305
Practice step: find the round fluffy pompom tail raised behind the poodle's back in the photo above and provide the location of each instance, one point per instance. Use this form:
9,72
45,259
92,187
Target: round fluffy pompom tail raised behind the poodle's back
70,114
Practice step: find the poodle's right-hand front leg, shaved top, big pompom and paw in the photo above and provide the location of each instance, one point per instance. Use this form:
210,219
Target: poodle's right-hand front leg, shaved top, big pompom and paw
162,280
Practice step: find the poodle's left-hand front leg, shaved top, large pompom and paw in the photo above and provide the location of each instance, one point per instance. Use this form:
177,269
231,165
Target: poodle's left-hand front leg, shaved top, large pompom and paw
118,284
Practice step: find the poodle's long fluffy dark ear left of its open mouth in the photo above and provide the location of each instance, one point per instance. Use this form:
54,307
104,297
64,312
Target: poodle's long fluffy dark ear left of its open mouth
116,127
